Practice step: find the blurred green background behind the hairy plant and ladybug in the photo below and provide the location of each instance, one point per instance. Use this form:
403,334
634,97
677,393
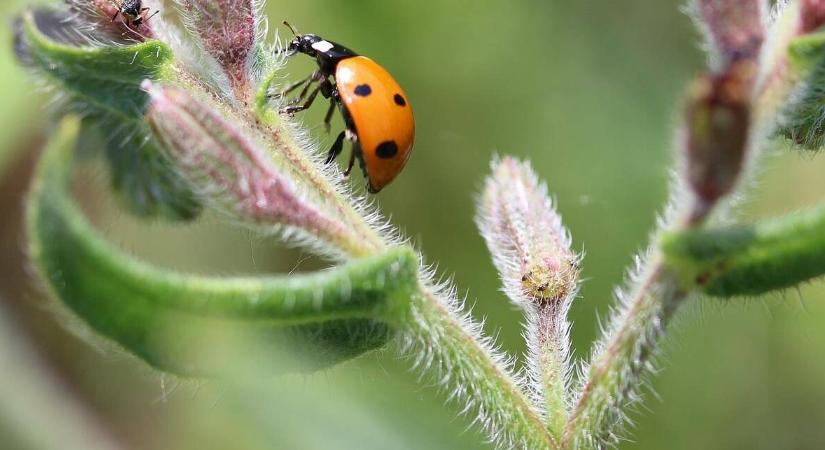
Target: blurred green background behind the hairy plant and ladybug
587,90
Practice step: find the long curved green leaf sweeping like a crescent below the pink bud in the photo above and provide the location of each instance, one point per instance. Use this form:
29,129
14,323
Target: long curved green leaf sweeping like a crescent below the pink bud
196,325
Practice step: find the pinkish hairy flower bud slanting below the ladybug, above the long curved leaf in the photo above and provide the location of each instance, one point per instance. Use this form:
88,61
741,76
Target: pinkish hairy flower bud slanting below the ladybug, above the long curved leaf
228,165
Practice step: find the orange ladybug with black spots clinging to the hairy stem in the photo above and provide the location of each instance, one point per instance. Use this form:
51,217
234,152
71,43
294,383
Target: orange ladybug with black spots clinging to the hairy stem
377,115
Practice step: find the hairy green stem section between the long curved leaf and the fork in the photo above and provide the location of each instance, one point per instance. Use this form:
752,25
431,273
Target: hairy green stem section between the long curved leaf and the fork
472,372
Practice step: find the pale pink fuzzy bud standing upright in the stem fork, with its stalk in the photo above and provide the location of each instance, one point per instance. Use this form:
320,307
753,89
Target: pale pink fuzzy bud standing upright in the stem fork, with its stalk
531,250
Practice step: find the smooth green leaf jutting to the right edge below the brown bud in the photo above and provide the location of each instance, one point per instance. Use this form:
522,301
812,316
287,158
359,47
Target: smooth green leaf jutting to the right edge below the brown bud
750,260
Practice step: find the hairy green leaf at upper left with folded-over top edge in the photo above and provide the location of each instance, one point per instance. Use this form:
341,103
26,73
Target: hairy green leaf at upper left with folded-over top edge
104,84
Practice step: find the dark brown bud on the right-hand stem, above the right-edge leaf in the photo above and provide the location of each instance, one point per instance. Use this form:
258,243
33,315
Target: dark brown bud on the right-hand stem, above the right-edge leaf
718,121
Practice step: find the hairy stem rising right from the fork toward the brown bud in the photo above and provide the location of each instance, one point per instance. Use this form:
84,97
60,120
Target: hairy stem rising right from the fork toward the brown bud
623,355
